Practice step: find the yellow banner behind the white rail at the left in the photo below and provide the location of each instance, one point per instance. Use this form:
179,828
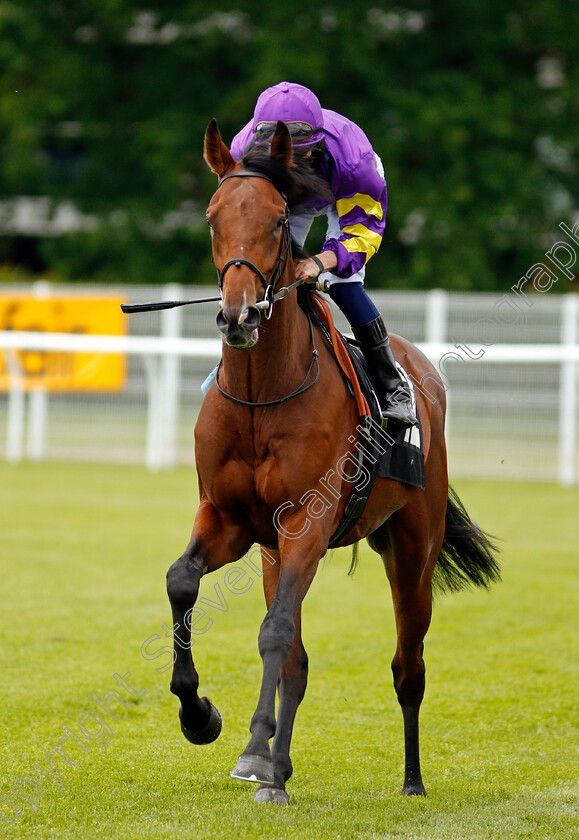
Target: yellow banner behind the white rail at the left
60,371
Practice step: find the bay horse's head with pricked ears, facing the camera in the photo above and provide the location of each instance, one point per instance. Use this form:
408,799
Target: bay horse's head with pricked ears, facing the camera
249,230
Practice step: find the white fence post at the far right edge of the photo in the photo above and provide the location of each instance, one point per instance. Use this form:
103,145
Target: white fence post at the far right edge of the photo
568,392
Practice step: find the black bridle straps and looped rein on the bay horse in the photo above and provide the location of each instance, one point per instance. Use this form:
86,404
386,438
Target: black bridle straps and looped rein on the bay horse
271,295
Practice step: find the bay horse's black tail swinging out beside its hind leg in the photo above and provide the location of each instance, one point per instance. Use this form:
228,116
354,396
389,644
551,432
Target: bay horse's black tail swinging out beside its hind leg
467,557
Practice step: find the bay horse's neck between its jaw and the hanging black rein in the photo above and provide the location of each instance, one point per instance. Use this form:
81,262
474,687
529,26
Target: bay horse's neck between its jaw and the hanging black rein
277,364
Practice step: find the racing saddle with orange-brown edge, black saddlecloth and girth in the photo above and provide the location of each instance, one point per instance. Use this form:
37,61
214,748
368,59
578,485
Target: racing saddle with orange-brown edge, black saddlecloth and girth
398,456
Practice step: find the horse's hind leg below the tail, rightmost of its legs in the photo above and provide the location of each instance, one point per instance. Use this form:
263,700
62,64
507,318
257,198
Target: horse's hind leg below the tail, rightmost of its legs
409,558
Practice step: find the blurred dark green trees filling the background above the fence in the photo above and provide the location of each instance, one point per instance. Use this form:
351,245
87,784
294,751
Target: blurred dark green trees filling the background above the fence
473,108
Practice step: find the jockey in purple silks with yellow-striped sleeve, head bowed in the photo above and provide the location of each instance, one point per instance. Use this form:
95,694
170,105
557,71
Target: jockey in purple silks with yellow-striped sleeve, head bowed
341,154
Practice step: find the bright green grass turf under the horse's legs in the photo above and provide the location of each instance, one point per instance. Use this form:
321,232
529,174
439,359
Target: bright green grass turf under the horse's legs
83,555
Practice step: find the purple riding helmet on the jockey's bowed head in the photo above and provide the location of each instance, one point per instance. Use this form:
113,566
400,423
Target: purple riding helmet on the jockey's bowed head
294,105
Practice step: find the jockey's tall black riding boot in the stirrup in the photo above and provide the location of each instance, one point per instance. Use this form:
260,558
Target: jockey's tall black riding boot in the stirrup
393,393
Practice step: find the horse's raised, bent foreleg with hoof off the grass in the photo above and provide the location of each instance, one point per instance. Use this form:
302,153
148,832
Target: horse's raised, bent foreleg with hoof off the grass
212,545
